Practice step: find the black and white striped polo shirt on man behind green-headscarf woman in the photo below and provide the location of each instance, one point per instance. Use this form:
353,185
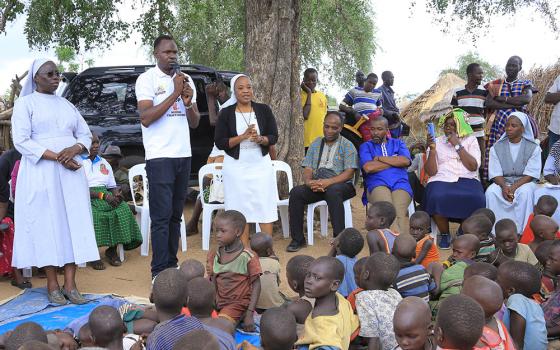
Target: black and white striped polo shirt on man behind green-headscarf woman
472,102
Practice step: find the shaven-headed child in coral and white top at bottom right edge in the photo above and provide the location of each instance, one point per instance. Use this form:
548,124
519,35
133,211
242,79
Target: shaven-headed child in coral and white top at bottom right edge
488,295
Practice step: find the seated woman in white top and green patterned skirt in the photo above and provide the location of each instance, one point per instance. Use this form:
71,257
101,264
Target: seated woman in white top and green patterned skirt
113,221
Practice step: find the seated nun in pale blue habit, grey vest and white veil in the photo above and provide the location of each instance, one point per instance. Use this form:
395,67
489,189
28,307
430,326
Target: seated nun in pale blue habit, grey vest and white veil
514,166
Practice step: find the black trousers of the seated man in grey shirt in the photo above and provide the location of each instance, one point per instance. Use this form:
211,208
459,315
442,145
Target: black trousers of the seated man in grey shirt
301,196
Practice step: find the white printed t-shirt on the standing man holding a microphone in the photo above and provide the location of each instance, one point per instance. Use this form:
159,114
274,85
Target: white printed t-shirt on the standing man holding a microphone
167,137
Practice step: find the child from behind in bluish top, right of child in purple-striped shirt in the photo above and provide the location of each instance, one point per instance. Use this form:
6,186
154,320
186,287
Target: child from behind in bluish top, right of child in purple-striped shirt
200,301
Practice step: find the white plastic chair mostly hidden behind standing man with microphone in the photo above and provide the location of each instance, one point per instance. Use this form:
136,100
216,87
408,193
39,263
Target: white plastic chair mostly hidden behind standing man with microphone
144,210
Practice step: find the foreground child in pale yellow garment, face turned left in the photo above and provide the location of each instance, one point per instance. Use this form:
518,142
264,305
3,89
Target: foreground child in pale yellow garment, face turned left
331,323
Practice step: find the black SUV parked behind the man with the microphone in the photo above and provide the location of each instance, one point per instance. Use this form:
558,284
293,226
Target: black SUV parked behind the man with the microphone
106,99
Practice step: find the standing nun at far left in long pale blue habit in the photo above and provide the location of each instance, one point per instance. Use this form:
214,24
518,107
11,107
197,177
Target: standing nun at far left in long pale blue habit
53,222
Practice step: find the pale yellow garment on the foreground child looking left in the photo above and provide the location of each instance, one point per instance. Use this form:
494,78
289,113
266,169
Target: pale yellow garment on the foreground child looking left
333,330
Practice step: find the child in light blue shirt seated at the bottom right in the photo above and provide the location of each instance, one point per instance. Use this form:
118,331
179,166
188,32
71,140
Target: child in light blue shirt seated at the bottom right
525,318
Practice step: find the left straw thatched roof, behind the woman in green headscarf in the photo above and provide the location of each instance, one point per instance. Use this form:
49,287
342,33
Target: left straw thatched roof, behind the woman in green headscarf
432,103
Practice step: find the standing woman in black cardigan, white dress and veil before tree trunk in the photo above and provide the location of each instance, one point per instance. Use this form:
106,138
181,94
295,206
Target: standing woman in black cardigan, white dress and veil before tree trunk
245,131
